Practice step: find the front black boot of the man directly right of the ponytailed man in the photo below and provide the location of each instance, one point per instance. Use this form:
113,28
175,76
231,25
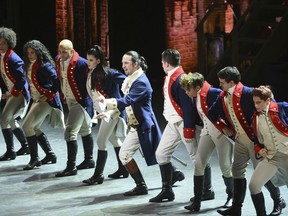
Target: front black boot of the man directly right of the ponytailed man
166,192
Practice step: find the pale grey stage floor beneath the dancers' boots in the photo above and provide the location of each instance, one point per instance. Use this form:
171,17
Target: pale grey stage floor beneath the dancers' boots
39,193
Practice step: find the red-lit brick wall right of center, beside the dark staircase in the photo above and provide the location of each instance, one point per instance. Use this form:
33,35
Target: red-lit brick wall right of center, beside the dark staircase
182,17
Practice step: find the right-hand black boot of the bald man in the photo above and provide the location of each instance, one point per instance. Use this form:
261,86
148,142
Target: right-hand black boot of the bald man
88,145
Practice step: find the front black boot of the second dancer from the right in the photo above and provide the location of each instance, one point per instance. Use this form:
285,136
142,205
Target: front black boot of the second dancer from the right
238,198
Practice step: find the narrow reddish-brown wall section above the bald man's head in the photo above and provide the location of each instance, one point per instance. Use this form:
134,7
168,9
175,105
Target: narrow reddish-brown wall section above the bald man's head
76,20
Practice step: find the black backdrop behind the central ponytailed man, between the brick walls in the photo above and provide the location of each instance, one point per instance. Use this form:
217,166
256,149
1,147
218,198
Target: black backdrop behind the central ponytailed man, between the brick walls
140,26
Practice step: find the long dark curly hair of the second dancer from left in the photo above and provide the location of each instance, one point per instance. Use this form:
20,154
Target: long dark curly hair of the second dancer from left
43,54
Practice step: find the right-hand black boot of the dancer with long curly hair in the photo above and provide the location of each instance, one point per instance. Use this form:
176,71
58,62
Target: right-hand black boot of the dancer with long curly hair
45,145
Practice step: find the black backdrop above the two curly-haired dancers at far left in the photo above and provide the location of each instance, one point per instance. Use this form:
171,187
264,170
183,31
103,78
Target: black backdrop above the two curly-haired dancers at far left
30,19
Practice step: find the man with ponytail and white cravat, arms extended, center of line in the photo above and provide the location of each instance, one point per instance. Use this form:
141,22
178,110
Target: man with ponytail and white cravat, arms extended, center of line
144,132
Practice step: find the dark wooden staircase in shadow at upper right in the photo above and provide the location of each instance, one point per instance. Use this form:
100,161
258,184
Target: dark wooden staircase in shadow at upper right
258,39
